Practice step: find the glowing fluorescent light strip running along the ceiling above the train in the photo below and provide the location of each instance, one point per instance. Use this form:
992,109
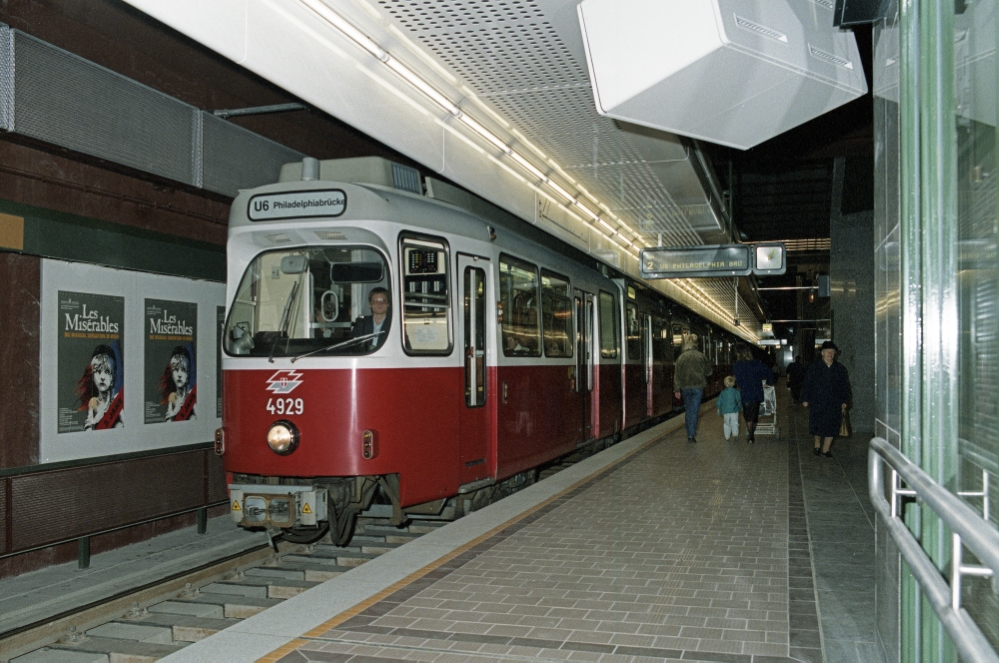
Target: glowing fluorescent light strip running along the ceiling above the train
596,212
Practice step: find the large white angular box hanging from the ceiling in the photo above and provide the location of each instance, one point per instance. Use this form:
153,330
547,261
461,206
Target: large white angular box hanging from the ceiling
733,72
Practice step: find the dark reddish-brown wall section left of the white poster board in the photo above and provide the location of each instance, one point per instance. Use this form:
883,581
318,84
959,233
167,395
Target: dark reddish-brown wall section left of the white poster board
19,353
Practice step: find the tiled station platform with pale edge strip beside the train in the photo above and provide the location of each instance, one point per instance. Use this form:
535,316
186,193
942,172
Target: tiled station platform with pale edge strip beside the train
652,550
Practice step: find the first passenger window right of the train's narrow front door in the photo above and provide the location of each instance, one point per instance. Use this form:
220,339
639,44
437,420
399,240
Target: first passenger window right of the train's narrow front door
519,298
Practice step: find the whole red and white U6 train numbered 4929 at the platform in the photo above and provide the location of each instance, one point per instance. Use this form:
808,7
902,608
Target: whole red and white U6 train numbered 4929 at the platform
502,350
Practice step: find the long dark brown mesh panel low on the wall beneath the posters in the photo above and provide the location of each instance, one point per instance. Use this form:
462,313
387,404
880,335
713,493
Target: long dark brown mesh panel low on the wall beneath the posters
51,506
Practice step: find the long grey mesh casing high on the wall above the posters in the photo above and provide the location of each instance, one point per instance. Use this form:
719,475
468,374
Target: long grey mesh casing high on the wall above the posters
59,98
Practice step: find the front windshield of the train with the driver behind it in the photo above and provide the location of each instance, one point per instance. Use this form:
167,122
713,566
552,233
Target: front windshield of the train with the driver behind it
318,300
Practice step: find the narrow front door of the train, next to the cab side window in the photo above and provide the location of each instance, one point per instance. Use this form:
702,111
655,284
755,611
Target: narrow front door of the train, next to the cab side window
476,411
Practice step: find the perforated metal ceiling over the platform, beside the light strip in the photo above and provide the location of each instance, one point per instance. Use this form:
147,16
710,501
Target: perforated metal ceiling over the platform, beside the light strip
512,55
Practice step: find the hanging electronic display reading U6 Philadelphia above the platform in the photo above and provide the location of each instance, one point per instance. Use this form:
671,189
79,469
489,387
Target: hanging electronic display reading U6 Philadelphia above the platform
663,262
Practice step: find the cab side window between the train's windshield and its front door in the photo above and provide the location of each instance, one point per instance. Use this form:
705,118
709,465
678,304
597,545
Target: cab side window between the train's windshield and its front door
426,301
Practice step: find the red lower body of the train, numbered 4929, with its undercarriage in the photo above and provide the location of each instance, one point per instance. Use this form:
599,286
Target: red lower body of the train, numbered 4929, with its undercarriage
406,437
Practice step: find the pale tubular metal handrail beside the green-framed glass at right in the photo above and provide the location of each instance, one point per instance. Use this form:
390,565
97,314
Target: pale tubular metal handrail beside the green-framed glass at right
969,530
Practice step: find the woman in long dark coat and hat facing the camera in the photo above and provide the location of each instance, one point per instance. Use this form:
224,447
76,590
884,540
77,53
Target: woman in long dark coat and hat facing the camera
826,393
